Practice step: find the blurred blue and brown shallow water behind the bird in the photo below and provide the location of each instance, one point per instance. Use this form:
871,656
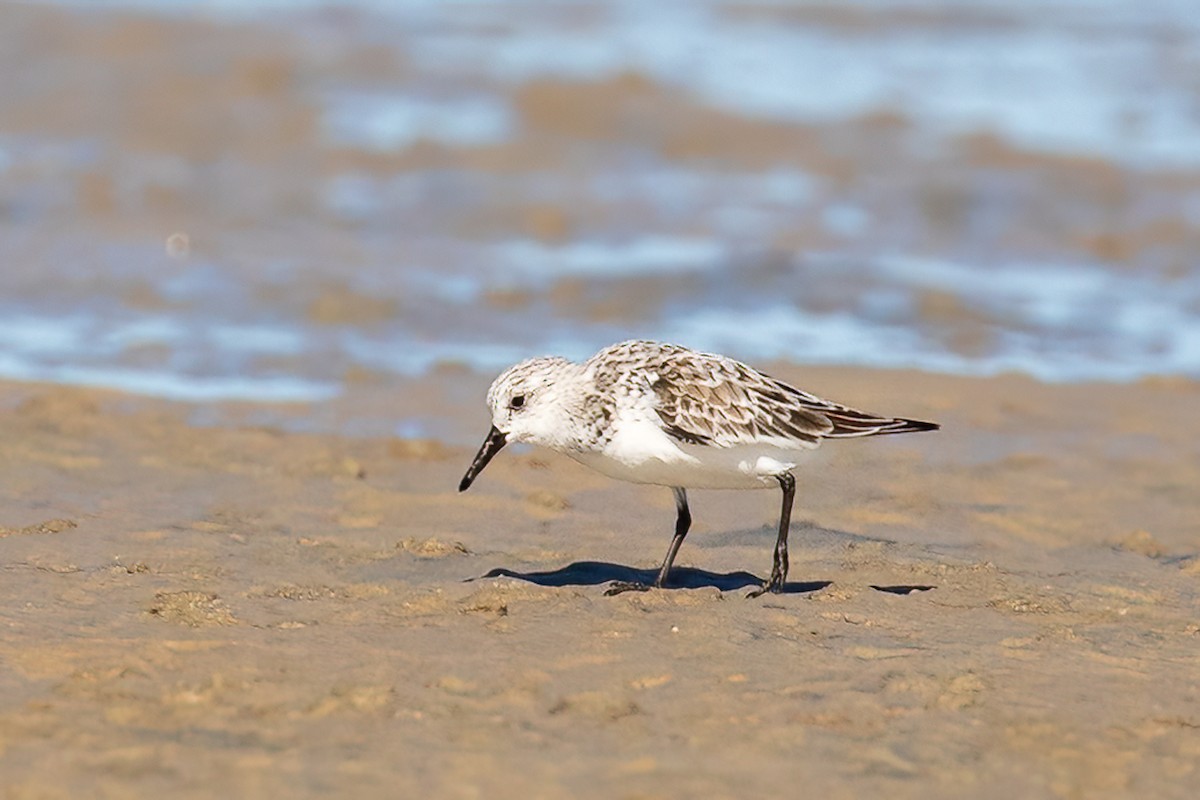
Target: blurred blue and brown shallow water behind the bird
305,202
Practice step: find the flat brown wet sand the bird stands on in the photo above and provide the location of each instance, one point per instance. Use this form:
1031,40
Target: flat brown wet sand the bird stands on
1005,609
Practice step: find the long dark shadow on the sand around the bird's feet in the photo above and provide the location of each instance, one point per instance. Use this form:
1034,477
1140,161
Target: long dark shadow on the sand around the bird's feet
591,574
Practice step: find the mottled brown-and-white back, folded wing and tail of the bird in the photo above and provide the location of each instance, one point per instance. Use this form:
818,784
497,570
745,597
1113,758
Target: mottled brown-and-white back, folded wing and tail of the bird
711,400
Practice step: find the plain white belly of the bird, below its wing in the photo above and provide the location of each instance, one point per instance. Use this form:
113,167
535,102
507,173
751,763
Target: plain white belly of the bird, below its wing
645,454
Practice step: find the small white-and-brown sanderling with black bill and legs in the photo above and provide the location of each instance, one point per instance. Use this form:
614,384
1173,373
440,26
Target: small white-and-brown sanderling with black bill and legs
653,413
